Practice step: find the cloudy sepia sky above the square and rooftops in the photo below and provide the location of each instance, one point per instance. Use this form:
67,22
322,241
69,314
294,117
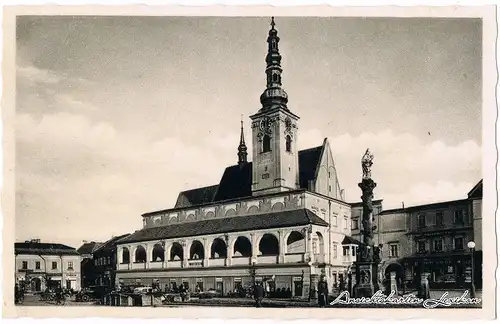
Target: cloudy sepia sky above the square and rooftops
116,115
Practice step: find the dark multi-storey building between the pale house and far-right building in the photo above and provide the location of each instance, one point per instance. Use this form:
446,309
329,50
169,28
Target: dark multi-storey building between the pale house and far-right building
438,236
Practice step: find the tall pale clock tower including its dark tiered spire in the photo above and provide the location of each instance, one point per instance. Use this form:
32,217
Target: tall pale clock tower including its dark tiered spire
275,164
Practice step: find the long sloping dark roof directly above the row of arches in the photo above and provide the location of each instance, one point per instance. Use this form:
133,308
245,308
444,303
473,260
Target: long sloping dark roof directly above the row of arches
227,225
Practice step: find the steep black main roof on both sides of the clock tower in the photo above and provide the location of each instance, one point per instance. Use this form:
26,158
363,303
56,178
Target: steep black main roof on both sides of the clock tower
236,182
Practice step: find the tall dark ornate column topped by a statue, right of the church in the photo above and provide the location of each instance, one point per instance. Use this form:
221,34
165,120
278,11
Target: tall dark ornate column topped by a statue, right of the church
368,254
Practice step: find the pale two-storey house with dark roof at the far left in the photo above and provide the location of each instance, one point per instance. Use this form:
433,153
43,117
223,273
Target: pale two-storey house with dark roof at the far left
40,265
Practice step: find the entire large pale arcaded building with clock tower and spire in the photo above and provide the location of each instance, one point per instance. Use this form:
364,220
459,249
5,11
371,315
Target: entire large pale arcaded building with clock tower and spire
280,218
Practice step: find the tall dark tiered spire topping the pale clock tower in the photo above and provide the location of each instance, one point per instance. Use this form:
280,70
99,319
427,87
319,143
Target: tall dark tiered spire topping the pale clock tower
274,96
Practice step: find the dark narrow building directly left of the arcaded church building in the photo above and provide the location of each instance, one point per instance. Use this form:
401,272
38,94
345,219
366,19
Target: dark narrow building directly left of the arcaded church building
104,262
